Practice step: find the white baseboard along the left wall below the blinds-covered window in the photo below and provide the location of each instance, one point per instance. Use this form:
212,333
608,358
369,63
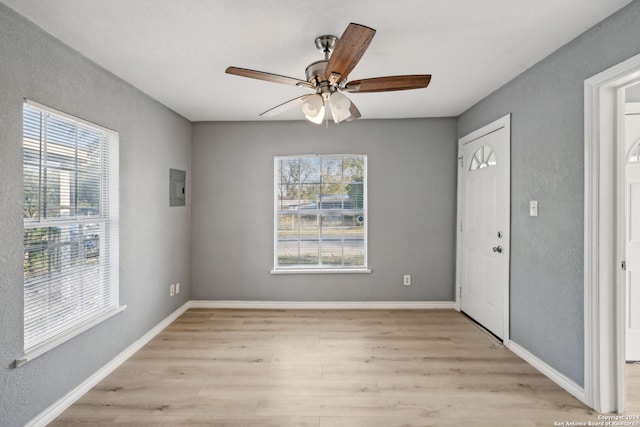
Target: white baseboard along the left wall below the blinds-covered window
58,407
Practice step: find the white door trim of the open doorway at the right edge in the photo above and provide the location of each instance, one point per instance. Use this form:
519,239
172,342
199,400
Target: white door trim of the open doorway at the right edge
603,303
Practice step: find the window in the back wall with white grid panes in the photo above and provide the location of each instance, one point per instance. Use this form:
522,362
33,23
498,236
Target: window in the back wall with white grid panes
320,213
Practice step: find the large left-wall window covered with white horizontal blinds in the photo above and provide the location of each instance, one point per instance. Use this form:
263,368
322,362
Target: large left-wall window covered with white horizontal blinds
70,213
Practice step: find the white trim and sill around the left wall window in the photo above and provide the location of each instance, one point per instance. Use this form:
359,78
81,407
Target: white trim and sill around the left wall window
113,220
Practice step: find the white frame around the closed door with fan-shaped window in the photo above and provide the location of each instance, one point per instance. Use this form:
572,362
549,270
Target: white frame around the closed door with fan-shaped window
503,122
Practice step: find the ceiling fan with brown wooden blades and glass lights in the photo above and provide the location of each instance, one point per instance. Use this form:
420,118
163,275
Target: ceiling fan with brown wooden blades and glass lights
328,78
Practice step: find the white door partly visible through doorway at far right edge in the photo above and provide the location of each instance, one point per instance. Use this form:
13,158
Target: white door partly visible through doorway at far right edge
632,253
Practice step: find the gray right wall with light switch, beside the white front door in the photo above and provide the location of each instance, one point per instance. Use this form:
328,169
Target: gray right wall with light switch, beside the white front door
547,152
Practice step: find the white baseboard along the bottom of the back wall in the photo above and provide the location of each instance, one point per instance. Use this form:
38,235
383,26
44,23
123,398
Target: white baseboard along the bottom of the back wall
326,305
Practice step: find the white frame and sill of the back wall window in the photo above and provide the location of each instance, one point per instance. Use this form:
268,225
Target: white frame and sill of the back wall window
316,269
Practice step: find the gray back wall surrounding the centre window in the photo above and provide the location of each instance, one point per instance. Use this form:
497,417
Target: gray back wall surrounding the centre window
412,187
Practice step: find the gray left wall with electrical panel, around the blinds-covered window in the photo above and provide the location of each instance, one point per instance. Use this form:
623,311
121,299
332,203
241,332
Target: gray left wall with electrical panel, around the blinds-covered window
154,246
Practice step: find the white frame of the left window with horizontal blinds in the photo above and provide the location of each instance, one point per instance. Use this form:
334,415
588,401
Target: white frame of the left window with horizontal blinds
111,221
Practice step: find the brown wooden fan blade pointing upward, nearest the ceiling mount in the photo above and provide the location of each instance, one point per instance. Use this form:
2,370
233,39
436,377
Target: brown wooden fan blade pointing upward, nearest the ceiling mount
348,51
